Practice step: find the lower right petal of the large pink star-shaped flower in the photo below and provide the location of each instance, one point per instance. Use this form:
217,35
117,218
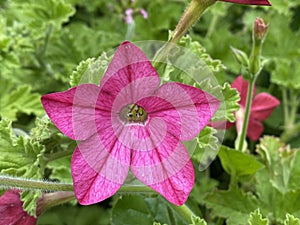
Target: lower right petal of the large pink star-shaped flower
173,177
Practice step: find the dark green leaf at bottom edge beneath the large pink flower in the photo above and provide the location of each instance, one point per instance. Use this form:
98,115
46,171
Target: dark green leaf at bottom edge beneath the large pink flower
131,210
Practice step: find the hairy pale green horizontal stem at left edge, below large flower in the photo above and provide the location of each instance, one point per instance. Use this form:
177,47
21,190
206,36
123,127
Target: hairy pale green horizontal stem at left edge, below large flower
7,182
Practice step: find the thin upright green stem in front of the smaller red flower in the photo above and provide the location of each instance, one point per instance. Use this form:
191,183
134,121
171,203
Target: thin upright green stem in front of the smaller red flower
247,114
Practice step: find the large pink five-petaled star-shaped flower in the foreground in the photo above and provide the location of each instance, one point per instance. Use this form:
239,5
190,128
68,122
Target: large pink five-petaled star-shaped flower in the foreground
131,122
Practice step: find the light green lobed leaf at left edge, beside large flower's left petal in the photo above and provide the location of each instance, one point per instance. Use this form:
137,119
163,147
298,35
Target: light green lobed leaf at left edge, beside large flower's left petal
20,99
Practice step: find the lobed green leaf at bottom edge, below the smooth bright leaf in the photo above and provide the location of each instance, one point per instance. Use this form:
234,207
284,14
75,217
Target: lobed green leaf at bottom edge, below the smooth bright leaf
234,205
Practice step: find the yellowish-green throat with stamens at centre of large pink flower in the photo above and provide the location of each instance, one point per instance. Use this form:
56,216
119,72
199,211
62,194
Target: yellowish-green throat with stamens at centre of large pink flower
133,113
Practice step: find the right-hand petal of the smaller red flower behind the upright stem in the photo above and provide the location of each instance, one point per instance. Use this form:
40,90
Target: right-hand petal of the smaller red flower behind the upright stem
263,105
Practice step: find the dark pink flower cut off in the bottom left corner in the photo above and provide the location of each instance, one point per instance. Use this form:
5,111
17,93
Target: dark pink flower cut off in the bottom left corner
11,210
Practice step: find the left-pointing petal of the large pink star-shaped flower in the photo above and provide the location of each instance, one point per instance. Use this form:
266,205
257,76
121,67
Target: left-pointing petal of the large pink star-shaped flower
74,110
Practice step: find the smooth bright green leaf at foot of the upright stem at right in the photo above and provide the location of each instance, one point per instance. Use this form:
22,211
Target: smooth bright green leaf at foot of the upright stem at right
234,162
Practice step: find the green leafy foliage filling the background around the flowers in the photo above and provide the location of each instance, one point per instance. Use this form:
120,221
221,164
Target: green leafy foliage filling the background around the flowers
47,45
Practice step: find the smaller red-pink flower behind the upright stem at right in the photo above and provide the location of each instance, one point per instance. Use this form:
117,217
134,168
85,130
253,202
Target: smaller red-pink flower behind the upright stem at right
262,106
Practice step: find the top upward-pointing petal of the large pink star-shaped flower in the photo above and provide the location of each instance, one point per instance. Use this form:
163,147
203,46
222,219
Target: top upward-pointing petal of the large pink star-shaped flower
129,63
